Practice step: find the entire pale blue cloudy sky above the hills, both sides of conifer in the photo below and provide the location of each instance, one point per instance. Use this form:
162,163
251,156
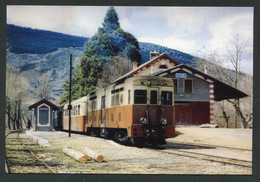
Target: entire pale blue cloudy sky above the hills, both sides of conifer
194,30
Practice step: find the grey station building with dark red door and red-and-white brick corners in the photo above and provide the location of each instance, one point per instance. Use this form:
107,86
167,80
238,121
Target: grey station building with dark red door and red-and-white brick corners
195,91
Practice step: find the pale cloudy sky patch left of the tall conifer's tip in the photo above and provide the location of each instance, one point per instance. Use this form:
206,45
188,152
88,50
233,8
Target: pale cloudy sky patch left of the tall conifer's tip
74,20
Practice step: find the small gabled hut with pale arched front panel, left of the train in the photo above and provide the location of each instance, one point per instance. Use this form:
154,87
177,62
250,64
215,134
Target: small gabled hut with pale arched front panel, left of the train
42,119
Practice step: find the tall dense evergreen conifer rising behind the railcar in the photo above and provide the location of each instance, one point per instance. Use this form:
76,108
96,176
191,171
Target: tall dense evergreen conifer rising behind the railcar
109,41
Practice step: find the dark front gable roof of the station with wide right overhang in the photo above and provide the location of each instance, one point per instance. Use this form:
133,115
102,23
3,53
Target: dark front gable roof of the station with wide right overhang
222,90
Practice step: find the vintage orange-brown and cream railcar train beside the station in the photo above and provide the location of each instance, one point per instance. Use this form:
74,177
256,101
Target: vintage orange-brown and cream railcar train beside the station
139,110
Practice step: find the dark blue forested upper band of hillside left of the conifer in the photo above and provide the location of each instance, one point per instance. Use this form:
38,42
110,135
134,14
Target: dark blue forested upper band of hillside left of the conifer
26,40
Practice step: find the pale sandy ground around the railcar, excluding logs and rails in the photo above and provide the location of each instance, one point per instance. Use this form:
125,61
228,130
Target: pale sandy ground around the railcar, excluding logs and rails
120,159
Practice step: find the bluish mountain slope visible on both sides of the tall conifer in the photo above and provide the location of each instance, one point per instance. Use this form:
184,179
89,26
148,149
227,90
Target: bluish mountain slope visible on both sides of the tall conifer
35,52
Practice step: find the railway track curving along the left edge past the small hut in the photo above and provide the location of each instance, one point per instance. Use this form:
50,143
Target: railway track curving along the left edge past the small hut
28,150
